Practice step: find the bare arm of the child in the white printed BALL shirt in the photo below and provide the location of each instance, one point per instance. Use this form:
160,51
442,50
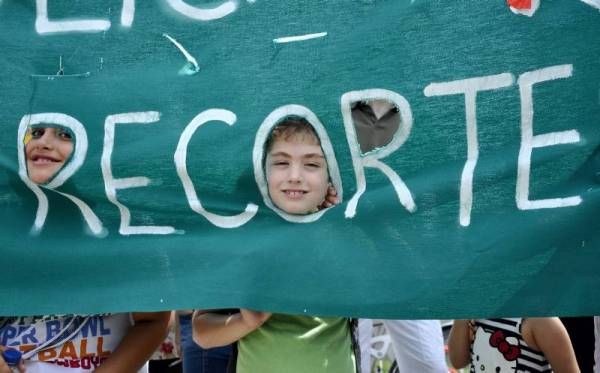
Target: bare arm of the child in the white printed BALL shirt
142,339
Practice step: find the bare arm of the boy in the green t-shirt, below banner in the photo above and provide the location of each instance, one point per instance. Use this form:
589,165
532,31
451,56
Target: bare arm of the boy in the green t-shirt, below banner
214,330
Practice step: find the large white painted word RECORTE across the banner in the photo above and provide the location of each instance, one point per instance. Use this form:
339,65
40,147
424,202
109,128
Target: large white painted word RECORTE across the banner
469,88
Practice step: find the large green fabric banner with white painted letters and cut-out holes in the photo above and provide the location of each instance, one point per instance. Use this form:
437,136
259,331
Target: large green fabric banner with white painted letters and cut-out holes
484,203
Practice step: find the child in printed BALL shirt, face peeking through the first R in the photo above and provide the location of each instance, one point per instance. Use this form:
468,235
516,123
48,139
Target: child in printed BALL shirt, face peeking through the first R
111,343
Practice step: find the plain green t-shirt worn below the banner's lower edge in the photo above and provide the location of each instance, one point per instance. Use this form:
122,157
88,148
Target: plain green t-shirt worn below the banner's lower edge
298,344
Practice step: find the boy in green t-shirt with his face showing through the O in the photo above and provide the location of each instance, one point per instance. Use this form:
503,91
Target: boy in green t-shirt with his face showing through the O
298,182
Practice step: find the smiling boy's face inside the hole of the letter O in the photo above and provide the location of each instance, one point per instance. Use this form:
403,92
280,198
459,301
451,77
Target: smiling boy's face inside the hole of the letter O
297,174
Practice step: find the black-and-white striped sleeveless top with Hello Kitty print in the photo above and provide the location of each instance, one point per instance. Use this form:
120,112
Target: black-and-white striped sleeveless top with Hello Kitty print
499,347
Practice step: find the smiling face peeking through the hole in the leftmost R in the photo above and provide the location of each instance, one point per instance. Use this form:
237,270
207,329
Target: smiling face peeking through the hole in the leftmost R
46,151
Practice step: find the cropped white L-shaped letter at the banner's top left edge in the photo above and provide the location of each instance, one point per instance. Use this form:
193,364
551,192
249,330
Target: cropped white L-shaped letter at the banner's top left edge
43,25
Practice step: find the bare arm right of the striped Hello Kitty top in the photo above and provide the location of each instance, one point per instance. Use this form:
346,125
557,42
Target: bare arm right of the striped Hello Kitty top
548,335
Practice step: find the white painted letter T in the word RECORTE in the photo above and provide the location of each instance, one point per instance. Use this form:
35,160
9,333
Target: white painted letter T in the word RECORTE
469,87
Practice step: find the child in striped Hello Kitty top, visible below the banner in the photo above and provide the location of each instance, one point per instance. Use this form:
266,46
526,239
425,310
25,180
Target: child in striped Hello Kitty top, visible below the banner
512,345
